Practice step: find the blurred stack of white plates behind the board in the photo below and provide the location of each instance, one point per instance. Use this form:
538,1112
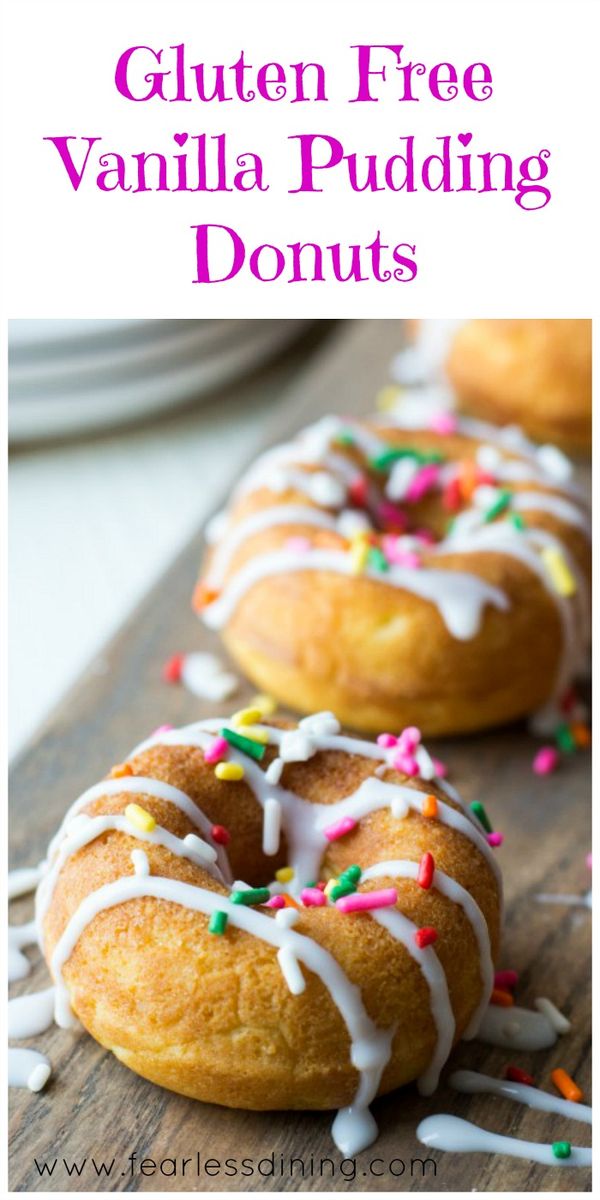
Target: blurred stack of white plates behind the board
71,377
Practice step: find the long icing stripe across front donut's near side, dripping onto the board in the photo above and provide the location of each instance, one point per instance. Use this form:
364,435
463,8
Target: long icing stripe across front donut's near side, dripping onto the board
370,1047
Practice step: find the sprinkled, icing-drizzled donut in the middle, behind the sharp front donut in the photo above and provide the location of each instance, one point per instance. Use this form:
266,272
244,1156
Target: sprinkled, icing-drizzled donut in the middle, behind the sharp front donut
418,567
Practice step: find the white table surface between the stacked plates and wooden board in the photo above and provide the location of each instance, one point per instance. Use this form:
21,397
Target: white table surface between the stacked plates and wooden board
93,525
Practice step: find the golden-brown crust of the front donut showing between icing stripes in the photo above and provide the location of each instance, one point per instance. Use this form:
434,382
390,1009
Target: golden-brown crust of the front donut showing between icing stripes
212,1017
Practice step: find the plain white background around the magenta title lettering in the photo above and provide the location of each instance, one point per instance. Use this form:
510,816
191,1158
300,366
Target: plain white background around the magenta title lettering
94,255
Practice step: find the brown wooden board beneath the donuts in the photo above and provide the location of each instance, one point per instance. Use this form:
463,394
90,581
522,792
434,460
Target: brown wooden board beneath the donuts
94,1108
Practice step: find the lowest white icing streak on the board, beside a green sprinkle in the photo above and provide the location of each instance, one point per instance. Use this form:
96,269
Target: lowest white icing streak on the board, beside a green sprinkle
446,1132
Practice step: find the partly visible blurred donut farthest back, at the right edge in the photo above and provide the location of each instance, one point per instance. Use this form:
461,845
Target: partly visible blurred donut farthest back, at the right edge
537,374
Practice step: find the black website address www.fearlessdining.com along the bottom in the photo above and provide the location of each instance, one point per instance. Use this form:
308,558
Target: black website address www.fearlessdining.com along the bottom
196,1167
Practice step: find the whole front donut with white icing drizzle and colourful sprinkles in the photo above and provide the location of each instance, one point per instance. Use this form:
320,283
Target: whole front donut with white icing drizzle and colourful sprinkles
304,994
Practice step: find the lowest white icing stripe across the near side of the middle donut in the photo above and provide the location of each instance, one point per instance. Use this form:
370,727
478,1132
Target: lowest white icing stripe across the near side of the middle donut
460,604
